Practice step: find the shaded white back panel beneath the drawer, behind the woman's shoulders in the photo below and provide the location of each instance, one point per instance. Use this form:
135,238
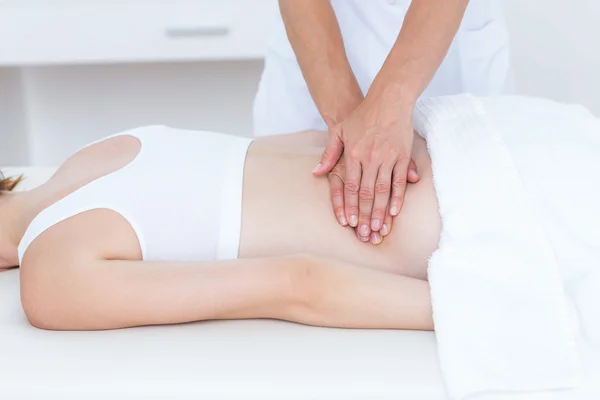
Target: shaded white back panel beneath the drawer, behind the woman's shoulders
69,106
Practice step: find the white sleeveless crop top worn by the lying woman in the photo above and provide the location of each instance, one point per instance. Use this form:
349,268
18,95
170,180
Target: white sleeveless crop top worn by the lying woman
181,195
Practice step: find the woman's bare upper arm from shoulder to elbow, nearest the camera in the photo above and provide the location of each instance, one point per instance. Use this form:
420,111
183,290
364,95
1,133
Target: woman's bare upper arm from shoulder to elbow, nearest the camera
92,294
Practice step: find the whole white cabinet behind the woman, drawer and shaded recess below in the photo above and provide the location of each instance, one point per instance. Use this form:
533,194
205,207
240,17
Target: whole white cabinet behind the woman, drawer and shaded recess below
72,71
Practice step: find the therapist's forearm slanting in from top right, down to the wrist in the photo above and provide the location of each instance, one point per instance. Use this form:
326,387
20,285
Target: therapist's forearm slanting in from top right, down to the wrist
421,46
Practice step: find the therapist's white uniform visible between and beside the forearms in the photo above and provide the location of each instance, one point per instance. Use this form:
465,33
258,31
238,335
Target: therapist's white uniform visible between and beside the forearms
477,61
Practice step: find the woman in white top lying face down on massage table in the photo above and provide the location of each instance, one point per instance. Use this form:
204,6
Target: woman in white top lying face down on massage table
145,227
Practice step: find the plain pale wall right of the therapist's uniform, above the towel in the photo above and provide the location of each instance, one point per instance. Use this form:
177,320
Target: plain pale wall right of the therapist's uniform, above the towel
556,49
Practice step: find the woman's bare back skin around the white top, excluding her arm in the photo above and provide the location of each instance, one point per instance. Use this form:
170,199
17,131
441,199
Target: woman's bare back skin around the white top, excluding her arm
285,209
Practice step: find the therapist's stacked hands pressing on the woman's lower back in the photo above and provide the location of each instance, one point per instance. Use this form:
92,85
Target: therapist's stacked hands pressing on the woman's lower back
375,145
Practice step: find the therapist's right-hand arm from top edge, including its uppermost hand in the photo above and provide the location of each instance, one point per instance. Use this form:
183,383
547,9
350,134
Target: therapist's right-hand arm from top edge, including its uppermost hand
378,135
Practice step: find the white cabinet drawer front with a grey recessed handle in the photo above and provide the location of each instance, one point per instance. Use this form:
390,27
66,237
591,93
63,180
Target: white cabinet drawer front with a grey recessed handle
69,32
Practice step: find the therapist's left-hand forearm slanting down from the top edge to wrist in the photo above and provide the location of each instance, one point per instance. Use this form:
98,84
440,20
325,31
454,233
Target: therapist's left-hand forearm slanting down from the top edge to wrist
315,36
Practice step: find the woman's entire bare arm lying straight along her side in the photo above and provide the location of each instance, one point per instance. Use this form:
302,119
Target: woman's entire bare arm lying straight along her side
100,294
